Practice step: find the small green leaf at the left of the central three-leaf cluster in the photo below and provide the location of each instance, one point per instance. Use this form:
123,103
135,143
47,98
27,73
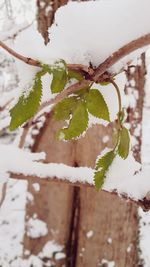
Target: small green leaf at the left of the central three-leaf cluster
64,108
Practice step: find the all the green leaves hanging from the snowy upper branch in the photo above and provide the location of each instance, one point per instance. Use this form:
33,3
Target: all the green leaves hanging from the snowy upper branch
75,110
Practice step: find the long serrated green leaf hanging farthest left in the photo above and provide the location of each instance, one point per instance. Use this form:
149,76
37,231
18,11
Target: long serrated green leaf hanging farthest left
26,106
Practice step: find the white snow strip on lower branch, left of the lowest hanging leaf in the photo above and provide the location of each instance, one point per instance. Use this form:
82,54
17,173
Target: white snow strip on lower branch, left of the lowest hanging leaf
26,163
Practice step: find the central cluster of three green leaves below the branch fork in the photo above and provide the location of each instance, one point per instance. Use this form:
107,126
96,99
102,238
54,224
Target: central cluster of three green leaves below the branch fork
76,109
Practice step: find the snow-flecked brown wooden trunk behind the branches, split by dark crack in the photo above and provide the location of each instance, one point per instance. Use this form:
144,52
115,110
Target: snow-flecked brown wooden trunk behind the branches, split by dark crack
91,226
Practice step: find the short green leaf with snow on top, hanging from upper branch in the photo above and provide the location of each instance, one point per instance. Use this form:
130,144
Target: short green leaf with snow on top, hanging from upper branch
59,77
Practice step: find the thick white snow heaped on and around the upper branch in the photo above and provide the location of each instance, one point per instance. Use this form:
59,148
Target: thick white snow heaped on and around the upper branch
85,32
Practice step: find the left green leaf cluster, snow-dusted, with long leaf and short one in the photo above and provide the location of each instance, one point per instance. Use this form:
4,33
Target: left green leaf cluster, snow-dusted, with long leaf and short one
28,104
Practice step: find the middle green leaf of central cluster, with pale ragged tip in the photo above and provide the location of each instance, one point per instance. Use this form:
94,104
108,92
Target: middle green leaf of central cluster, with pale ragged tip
78,123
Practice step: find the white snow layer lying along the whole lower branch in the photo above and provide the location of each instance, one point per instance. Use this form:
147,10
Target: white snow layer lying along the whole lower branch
131,181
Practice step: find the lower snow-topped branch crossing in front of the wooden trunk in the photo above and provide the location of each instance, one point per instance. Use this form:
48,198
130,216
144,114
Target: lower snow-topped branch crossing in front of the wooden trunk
80,177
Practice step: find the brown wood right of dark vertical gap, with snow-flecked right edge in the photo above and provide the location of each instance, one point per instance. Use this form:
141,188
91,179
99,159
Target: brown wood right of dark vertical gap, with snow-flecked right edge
108,226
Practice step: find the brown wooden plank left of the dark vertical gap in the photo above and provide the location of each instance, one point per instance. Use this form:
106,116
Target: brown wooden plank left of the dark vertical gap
53,203
